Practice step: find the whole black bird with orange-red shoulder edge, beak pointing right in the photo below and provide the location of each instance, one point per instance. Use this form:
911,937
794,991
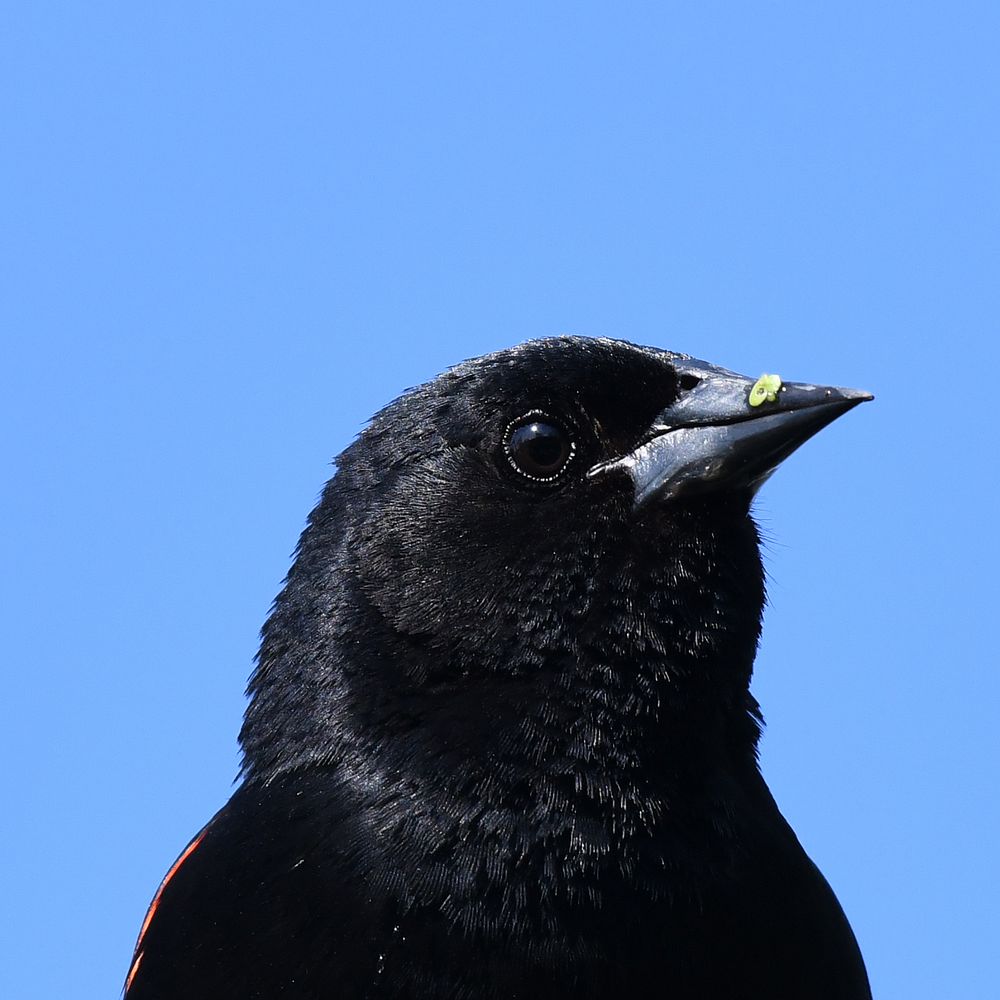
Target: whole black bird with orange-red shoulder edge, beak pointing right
500,741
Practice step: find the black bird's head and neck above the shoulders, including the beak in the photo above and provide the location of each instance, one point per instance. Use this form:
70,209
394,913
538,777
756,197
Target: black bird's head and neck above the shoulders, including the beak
545,555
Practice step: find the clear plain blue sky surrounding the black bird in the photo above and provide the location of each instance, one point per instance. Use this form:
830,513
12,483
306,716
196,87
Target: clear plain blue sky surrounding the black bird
231,231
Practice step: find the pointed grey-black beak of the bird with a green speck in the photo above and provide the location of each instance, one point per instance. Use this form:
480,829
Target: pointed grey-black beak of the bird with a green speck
727,431
